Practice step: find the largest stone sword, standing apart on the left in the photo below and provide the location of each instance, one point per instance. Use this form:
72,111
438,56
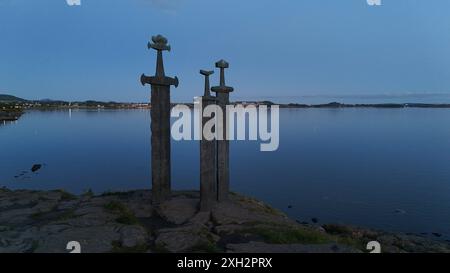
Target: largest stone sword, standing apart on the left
160,126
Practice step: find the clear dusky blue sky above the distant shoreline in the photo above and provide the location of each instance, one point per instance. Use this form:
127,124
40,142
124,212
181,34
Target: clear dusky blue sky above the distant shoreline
281,50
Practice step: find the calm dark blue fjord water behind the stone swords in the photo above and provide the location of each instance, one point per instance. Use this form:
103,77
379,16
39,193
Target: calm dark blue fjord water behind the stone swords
379,168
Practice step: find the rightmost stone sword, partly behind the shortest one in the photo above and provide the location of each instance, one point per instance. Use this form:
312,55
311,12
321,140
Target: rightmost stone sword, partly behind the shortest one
223,157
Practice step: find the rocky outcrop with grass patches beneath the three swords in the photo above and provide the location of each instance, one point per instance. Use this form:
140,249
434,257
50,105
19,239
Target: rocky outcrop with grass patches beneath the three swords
45,221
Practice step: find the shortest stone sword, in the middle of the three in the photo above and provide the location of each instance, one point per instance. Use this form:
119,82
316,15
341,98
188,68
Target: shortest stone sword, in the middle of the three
208,179
